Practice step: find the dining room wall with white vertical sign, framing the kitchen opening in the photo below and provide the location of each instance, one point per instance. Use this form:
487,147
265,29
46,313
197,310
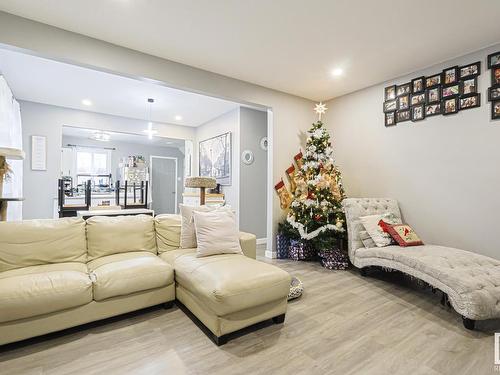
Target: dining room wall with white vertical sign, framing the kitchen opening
40,187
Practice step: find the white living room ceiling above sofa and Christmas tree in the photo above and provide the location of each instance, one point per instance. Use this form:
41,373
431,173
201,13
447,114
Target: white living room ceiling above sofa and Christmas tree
288,45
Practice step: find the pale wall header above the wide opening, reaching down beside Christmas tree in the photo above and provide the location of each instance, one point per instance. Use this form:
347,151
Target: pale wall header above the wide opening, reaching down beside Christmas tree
291,115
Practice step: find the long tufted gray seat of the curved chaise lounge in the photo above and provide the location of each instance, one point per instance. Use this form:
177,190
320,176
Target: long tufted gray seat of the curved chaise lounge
472,281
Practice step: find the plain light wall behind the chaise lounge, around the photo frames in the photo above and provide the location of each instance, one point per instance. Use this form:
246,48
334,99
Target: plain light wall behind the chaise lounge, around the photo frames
443,170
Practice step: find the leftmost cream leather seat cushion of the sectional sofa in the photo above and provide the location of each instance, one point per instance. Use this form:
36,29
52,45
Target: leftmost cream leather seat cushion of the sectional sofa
37,290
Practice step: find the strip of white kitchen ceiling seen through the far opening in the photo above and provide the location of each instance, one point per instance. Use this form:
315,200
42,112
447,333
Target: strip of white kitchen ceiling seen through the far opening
83,133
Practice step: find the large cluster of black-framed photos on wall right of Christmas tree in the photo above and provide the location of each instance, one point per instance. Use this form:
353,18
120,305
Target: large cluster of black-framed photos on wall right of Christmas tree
445,93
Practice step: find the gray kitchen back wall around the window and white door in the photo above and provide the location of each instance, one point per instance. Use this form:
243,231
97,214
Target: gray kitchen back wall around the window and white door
124,149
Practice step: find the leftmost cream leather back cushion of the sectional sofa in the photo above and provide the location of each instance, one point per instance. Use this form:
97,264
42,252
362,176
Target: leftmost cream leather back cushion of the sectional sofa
36,242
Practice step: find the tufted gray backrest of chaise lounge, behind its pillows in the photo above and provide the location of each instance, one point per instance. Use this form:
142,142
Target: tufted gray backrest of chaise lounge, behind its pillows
355,208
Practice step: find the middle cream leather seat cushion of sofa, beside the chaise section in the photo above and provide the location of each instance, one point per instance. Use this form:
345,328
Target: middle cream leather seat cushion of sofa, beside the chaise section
127,273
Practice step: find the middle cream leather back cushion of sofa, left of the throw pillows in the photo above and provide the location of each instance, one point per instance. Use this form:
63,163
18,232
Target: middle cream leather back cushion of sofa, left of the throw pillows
121,234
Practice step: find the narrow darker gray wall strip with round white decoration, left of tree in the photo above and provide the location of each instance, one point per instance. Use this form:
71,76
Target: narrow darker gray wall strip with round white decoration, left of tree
253,177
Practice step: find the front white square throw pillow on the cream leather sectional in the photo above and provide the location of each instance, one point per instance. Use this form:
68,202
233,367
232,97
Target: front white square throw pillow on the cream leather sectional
216,233
